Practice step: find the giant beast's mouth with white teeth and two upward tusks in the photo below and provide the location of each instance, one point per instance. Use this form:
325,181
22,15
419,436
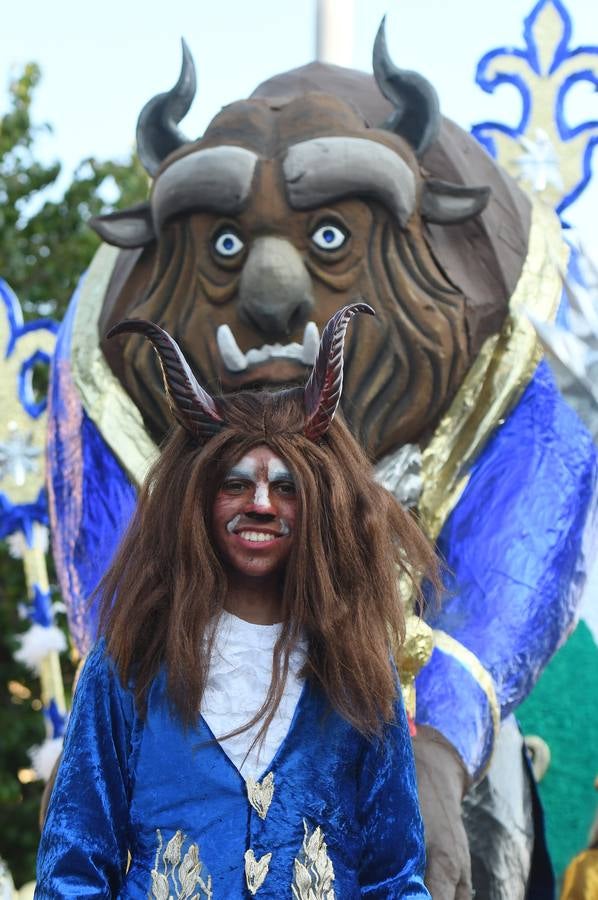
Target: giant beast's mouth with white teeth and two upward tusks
237,362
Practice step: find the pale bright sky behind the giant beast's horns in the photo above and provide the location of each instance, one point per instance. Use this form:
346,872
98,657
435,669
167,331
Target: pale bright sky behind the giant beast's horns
101,61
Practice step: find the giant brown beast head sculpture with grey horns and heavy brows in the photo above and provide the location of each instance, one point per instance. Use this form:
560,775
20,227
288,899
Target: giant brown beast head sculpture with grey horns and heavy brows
309,195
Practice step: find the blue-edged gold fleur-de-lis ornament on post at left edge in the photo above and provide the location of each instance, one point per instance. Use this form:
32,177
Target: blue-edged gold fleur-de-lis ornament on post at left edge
23,506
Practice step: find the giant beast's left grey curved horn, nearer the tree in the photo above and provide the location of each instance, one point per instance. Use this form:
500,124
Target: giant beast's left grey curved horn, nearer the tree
157,132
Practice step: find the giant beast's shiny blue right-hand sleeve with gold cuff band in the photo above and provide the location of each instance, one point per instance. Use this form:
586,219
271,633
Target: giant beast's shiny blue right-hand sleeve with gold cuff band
517,548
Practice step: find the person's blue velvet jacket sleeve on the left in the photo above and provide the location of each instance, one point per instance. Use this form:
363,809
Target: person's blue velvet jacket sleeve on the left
83,850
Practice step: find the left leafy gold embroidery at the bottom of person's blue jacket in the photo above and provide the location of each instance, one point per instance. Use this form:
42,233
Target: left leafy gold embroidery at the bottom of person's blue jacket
174,878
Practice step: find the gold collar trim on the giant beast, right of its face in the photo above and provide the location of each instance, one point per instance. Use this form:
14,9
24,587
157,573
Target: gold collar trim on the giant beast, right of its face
497,377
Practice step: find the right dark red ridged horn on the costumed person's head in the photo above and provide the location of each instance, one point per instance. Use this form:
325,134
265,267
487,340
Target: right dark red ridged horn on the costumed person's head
324,387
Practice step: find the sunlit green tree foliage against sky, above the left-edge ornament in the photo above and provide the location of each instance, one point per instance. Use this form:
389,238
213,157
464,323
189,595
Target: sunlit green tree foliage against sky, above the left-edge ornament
43,252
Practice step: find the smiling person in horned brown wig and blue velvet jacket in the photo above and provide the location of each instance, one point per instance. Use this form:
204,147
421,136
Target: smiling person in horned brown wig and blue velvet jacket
259,582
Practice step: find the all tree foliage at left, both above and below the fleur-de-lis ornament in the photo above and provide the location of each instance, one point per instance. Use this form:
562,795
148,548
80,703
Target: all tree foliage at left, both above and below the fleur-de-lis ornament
45,246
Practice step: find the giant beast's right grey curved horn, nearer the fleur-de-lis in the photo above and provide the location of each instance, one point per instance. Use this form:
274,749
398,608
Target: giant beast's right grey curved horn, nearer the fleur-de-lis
417,111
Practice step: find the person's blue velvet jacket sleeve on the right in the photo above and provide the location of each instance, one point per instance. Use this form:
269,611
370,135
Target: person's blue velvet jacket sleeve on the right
393,857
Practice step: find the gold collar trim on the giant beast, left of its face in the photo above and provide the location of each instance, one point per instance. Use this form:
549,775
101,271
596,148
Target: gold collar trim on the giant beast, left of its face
104,399
